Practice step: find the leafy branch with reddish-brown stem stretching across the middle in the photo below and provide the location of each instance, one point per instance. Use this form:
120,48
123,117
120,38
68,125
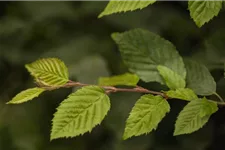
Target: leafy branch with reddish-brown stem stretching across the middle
149,58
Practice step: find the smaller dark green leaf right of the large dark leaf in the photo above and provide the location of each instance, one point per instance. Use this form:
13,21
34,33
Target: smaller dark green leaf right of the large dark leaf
199,78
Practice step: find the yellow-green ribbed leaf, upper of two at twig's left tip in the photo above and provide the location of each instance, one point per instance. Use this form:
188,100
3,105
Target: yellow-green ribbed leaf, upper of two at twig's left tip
49,71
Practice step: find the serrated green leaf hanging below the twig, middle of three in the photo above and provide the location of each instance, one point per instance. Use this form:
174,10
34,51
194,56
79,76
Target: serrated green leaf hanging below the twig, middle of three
145,116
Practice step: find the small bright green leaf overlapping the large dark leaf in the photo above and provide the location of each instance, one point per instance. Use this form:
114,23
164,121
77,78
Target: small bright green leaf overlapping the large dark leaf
172,79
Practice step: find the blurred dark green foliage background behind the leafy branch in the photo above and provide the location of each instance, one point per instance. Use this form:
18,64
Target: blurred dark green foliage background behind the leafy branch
70,30
